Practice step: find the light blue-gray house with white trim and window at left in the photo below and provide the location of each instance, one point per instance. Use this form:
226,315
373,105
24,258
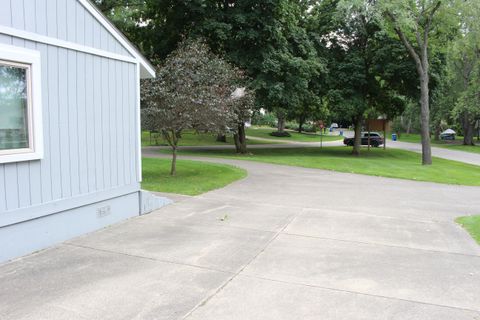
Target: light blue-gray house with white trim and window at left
69,124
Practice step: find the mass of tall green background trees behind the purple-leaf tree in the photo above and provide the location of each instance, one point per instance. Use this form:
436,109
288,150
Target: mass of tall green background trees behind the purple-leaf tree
346,60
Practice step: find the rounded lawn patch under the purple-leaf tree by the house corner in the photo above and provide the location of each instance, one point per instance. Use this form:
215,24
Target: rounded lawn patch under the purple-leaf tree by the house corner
193,177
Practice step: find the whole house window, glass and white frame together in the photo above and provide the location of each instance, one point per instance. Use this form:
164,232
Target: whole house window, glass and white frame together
20,105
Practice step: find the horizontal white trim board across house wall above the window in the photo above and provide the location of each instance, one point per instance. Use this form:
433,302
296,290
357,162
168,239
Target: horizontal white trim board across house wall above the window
63,44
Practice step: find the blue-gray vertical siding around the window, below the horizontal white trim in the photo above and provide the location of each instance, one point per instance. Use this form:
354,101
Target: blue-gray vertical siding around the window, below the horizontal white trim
89,125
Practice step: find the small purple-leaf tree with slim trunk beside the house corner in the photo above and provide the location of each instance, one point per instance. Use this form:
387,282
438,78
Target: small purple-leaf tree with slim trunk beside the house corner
192,90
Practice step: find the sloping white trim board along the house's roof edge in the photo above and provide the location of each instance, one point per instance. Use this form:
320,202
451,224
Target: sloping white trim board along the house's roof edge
147,70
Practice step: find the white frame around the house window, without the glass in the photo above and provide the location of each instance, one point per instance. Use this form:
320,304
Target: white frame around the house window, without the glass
21,57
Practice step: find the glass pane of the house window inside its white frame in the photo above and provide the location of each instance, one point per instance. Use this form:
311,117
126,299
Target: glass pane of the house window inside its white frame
14,106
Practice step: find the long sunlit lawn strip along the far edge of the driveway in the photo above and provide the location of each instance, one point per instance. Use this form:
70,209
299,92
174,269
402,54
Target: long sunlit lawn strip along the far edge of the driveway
391,163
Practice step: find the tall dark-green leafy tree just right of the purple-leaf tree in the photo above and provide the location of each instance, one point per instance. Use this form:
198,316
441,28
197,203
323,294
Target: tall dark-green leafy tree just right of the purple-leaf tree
269,41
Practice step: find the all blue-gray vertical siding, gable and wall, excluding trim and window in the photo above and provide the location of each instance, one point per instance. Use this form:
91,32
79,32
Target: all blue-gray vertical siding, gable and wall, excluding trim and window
89,109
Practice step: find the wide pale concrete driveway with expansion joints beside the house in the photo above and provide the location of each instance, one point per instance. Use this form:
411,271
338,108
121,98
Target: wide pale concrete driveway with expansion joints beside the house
284,243
